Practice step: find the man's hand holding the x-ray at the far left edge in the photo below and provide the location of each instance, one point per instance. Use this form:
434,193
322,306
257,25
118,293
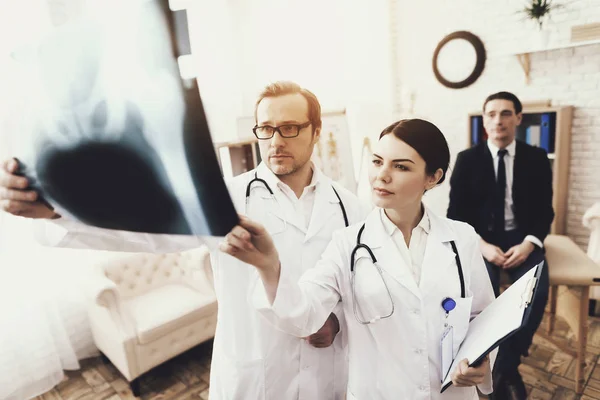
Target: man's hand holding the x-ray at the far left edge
16,199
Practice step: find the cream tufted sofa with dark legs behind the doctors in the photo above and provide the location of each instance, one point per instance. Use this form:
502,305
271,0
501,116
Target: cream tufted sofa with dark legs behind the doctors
152,307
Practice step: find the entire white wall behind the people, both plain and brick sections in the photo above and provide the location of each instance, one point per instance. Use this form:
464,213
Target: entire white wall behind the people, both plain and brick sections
370,57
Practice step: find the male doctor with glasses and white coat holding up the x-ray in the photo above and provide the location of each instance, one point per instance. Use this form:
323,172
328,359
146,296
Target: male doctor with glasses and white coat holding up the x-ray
251,359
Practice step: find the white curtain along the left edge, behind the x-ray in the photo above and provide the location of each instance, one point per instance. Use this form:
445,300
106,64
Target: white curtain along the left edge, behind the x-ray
43,292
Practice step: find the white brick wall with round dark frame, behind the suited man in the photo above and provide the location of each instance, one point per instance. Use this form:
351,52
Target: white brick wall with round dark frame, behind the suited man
566,76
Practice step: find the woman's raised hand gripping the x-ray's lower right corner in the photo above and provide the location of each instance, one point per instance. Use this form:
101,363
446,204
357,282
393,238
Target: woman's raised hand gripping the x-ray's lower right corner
251,243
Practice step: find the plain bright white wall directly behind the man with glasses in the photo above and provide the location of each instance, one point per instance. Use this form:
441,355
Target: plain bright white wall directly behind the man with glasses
338,50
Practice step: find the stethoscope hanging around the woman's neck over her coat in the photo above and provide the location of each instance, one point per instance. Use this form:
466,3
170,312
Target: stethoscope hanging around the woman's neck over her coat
448,304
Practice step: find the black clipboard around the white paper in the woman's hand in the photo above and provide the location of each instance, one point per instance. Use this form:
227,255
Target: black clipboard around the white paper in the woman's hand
526,297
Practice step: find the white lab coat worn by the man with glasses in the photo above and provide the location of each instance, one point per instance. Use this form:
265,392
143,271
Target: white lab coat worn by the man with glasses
252,359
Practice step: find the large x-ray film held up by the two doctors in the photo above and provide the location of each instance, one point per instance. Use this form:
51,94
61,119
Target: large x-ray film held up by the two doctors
118,139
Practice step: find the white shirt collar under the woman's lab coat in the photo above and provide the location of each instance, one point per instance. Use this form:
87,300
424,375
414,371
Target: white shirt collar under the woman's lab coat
415,251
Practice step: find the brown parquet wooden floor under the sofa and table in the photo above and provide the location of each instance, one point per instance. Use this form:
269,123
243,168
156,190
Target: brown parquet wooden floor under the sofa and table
547,372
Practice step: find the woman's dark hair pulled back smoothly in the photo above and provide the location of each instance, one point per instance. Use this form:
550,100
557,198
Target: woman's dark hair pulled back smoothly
426,139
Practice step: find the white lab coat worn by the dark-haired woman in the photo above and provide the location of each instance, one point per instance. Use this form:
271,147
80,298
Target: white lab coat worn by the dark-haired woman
397,357
